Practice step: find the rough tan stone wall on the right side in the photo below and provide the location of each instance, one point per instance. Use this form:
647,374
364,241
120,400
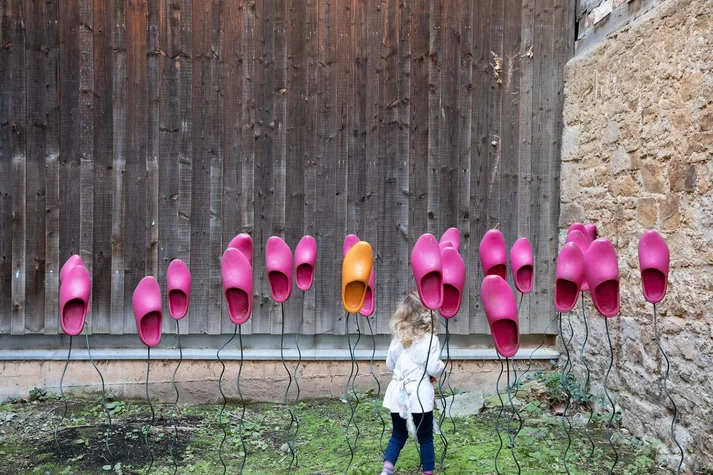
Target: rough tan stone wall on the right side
637,155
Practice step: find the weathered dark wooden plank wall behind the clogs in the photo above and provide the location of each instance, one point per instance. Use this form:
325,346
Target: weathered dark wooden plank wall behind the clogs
133,132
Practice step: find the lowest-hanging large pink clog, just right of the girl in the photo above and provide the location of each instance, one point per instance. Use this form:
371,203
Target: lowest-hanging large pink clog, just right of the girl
501,309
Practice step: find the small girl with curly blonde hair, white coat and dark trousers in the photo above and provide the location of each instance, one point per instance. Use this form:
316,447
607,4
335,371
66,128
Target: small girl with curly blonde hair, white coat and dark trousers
410,396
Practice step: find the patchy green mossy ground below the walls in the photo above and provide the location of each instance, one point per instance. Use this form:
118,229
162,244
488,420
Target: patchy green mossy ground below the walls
27,444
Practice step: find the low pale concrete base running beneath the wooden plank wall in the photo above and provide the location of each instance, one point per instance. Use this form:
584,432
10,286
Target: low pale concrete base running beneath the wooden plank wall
198,379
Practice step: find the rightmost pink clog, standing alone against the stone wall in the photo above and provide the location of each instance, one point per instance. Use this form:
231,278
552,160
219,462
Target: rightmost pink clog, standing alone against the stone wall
654,260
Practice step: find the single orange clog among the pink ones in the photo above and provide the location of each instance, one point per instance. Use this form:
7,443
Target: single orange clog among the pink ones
356,272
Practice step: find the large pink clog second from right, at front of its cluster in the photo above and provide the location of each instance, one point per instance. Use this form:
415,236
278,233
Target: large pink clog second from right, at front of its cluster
602,271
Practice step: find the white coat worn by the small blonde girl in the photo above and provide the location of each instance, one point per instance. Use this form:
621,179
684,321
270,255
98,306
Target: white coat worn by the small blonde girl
408,364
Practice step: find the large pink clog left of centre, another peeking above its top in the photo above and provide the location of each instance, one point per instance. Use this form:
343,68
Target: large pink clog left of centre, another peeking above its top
237,277
